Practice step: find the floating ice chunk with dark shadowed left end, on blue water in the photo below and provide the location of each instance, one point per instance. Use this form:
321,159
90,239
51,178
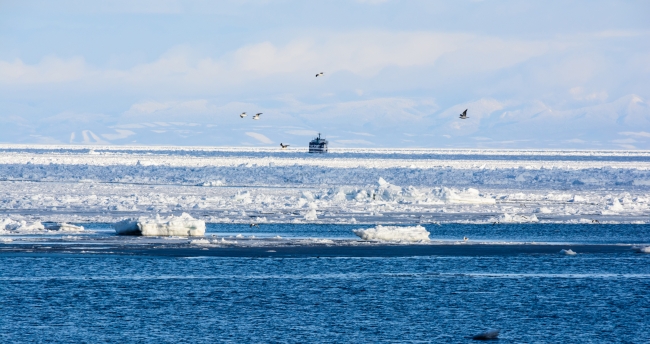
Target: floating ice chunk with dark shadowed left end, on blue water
184,225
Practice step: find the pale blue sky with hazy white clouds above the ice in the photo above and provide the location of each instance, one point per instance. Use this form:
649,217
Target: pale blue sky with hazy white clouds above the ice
532,74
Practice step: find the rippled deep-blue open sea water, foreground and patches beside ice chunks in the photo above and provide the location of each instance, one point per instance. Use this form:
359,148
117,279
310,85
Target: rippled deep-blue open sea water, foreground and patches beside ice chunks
544,298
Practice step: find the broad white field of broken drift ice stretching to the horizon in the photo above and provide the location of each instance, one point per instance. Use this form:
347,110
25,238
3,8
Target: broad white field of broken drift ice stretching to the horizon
239,185
